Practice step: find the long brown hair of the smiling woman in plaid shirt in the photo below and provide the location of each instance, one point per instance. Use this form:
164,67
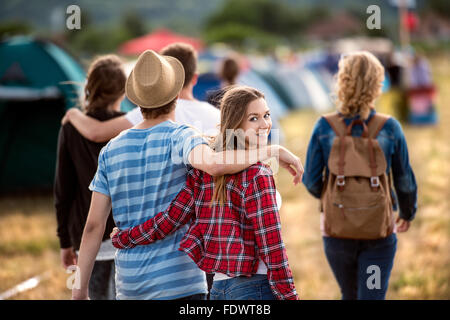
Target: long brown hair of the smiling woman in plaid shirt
233,108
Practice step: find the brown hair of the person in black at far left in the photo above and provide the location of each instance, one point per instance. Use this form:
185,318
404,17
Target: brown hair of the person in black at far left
105,82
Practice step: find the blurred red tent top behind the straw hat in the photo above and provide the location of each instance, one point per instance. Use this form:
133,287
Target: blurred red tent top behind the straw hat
156,41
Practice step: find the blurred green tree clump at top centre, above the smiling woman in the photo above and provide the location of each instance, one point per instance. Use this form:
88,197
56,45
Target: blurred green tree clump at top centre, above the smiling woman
260,23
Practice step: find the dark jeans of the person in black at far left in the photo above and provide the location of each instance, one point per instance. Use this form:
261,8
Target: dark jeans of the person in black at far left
102,285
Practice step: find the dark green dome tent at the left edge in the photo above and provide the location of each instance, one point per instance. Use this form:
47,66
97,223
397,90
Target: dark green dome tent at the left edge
38,82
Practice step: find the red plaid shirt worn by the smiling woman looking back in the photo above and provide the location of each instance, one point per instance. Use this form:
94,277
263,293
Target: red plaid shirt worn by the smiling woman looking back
228,239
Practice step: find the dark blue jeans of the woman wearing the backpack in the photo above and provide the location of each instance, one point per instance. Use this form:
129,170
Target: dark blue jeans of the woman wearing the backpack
361,267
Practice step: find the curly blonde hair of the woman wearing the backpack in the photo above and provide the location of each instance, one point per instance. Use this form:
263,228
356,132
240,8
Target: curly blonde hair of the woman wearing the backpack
359,82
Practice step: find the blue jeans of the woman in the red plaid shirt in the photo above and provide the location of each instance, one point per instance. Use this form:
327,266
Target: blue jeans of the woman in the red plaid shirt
256,287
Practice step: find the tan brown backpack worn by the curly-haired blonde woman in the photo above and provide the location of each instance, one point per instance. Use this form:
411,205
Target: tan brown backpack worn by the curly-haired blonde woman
356,198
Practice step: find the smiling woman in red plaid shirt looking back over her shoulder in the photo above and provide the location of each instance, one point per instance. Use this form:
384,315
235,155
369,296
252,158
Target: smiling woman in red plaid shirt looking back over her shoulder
235,229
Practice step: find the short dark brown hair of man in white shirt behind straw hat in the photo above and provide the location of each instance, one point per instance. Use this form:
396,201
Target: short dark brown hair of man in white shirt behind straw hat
187,55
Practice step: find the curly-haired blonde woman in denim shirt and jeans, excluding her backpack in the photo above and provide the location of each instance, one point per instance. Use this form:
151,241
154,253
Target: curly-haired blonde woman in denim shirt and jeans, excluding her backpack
361,267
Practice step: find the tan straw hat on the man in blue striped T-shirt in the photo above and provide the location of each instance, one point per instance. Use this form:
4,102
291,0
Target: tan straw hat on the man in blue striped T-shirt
155,80
